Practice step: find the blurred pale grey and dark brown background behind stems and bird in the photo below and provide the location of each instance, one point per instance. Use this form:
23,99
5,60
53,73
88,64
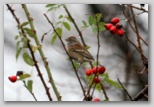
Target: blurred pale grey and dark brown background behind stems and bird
119,57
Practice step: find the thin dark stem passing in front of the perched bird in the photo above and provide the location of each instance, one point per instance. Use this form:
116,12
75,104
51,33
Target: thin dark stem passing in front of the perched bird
75,70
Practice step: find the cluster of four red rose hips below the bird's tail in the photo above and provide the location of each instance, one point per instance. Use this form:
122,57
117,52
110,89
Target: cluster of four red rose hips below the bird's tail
96,70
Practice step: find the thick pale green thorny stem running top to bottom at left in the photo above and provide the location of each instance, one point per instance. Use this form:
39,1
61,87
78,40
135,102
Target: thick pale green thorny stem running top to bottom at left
41,53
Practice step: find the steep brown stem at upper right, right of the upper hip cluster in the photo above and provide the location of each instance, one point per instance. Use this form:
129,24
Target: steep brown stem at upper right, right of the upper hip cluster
137,33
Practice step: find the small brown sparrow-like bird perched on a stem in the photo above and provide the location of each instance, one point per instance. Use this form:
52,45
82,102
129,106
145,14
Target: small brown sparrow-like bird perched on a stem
77,52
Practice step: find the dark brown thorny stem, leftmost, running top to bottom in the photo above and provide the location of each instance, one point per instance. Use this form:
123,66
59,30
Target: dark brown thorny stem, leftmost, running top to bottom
32,54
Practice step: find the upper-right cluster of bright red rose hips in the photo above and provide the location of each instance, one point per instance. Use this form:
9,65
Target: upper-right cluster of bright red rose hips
115,27
